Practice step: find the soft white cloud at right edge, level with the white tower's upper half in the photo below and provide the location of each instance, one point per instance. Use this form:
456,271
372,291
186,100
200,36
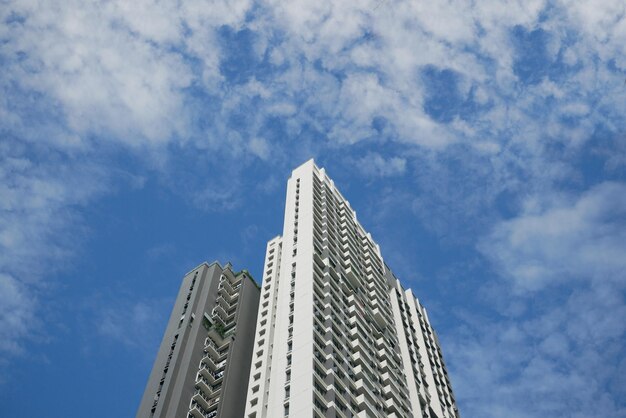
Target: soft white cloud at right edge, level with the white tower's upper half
572,238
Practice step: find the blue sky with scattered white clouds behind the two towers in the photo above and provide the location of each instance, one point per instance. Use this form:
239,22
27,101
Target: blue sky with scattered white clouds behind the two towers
482,143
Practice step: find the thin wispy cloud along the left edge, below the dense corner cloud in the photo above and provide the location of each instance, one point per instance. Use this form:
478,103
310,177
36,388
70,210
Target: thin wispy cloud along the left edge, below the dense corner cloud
39,230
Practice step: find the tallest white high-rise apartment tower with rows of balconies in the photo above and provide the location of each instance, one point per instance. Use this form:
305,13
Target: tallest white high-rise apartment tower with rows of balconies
337,335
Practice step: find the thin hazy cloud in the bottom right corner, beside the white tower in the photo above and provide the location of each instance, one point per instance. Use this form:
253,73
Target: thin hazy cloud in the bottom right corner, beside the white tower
559,360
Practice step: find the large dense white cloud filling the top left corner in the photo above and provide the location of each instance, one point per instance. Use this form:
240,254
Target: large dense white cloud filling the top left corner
116,69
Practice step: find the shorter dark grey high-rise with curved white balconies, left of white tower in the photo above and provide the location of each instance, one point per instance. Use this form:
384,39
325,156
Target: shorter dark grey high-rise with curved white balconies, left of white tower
203,363
